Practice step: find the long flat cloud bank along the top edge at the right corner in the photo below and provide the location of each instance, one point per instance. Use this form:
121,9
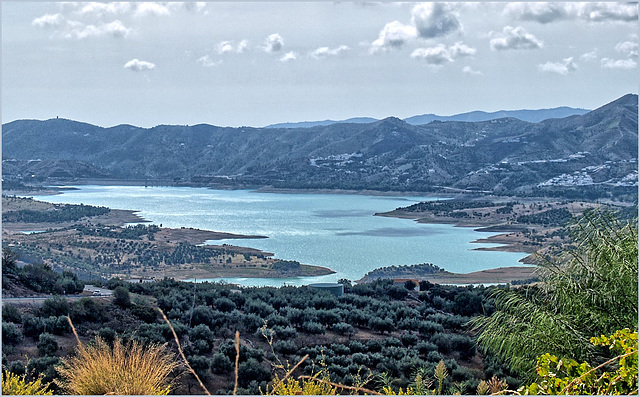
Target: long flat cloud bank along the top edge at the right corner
588,11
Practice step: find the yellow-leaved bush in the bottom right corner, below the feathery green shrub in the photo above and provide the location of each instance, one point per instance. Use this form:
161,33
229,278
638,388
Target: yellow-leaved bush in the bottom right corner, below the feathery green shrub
567,376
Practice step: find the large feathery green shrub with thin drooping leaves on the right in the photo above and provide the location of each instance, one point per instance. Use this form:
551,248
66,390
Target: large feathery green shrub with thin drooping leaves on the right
590,290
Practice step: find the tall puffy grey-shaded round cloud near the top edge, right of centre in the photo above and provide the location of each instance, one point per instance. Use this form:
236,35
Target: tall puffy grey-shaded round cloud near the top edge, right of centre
434,19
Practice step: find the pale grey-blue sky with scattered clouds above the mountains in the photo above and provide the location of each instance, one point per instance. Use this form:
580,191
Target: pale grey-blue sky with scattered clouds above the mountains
258,63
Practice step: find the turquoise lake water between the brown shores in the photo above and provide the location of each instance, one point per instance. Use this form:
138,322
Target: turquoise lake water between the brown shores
337,231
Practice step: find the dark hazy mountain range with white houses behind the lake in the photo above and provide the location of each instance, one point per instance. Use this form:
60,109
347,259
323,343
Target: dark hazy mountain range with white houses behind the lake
594,153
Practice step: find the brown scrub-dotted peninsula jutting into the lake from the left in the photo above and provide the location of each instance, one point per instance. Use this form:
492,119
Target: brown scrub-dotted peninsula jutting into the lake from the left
94,242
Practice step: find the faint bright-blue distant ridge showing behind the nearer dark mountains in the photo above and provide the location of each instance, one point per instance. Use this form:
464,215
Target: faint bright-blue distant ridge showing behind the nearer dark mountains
532,116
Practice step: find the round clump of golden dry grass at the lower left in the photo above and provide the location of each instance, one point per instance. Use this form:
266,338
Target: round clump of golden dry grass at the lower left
124,369
